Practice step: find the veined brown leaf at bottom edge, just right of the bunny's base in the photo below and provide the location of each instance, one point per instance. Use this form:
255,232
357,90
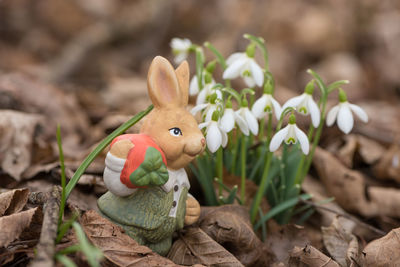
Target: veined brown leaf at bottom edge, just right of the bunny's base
196,247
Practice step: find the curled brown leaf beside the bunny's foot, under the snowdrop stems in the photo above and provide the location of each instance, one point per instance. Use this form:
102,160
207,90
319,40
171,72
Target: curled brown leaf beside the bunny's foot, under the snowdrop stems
230,226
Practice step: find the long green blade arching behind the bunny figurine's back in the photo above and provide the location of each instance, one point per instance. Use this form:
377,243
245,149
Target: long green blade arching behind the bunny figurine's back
89,159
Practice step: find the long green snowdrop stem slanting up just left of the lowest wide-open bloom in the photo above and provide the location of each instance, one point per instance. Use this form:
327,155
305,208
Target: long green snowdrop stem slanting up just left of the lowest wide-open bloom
264,179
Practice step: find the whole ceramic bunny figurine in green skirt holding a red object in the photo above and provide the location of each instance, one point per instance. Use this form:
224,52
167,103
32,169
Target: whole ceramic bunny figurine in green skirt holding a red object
148,186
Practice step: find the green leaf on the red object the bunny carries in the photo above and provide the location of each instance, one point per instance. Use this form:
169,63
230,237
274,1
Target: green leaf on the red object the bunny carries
152,171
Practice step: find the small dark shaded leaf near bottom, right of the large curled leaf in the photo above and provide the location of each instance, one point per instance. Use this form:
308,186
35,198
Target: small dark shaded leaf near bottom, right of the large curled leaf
285,238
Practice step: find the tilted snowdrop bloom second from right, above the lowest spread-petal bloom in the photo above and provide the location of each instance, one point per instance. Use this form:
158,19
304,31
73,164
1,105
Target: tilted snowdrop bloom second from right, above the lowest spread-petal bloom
305,104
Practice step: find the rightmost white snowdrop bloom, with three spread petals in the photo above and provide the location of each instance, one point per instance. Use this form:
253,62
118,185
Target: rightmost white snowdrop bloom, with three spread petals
342,114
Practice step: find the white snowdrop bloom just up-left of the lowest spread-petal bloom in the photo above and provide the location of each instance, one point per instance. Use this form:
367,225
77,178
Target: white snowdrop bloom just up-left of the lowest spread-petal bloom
266,104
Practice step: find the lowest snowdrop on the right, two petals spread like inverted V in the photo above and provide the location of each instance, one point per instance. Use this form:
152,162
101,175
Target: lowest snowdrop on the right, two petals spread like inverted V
290,134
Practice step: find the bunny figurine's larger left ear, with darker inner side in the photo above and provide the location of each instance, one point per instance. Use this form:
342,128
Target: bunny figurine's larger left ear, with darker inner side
162,84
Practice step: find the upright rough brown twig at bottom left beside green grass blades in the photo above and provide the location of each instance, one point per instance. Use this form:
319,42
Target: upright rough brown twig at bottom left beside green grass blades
46,246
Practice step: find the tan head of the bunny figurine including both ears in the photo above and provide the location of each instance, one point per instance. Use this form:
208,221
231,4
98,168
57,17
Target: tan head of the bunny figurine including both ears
170,125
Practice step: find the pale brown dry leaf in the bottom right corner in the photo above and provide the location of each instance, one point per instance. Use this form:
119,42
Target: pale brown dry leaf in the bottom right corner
383,251
